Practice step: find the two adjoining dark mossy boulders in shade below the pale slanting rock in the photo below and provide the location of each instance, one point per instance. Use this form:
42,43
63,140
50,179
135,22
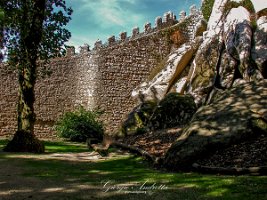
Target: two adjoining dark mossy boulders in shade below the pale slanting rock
174,110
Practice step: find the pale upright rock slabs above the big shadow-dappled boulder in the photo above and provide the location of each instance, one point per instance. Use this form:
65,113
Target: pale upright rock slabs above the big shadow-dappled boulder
232,47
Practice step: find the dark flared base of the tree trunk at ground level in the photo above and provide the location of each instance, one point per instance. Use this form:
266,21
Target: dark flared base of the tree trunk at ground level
24,141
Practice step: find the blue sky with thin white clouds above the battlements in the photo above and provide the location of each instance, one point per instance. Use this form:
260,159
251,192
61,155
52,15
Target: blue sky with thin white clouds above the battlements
99,19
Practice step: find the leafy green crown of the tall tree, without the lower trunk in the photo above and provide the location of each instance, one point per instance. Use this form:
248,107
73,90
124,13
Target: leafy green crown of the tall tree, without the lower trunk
19,18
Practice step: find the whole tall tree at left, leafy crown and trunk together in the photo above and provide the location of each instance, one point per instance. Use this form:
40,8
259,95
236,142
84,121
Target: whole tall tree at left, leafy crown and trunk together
33,30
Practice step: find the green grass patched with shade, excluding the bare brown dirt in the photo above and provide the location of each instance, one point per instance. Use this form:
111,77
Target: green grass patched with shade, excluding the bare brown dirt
135,172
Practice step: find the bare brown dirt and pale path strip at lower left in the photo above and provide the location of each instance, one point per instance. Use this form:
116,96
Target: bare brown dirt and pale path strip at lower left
14,185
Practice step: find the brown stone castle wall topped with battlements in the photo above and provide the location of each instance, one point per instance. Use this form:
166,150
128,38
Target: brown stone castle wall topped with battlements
102,78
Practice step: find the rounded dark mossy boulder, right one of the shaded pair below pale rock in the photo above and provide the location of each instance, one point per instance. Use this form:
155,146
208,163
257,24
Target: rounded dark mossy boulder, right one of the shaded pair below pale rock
174,110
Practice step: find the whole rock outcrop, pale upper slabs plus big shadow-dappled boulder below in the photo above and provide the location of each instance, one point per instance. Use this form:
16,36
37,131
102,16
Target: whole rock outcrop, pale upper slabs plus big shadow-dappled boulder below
224,68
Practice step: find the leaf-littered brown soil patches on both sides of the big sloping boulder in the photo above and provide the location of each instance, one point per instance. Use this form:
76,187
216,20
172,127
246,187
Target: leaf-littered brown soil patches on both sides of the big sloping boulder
250,153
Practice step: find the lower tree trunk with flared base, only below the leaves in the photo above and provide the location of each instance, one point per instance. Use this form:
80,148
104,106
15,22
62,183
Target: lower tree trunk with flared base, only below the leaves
24,139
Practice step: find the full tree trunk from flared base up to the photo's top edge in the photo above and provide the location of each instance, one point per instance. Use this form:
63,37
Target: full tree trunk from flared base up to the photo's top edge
31,34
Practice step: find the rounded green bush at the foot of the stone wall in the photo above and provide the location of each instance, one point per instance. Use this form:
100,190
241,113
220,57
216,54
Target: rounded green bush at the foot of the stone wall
80,125
